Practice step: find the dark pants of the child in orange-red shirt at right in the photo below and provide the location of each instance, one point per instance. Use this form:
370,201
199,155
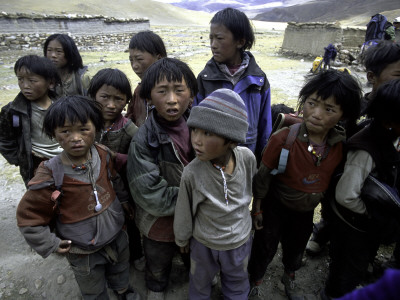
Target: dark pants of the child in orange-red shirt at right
281,224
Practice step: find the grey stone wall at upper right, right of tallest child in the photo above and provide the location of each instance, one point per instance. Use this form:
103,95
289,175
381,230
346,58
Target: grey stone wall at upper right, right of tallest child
309,39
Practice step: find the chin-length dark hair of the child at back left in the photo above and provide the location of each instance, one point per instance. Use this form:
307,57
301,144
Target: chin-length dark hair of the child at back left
74,59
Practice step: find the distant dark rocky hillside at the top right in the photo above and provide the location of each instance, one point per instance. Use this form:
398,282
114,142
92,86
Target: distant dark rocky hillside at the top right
350,12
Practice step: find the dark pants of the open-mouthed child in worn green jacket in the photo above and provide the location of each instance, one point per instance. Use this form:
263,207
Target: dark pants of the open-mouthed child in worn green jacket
159,257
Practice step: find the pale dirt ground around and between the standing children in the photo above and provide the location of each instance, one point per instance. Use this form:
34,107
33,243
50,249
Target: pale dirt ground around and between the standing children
25,275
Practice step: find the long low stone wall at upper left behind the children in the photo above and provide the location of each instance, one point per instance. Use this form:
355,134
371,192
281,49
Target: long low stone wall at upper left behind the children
23,31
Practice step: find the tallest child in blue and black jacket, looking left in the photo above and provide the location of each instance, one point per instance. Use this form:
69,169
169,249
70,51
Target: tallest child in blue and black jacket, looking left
234,68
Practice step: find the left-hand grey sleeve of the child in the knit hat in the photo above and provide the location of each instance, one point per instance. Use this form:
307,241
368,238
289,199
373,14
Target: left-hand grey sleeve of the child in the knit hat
183,220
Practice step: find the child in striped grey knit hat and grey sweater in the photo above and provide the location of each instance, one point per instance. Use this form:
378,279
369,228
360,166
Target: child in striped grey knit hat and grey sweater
214,197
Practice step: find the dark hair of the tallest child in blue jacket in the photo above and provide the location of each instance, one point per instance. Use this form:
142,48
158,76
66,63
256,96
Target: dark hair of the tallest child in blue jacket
237,23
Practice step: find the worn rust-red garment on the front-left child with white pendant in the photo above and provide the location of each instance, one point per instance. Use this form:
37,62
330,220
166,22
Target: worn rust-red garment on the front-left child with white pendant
36,207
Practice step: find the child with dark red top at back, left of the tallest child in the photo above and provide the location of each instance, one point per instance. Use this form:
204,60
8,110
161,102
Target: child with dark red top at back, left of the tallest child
145,48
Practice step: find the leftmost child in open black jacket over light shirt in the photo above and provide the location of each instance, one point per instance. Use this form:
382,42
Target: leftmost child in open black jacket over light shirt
22,142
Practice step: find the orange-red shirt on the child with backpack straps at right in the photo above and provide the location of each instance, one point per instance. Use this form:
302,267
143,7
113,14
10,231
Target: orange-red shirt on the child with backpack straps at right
301,172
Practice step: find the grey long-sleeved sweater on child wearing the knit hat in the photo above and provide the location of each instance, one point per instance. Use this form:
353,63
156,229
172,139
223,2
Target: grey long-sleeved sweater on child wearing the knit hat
201,211
